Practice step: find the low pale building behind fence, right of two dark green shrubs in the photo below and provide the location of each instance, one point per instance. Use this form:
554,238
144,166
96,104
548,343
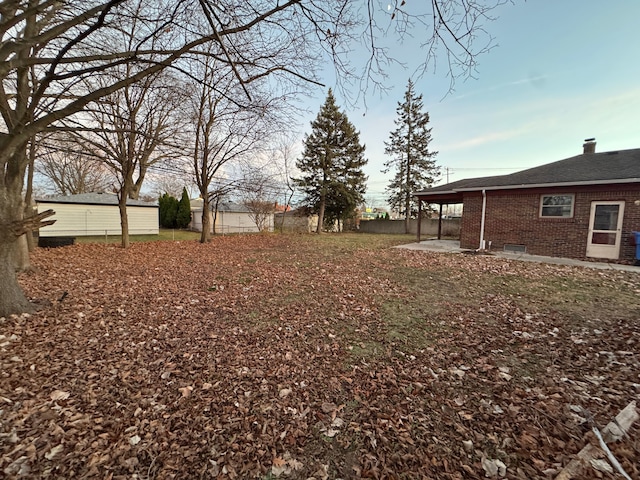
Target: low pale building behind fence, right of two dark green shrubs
231,217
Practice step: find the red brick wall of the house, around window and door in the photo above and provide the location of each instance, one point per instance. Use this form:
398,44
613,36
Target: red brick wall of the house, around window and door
513,218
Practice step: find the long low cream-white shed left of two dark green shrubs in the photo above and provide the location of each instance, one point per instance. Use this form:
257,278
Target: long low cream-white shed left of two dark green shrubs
92,214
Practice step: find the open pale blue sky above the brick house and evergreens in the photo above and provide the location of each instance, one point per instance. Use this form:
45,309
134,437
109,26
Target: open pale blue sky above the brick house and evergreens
561,71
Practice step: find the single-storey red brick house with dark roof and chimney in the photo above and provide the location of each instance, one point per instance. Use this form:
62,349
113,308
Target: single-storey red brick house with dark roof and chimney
585,206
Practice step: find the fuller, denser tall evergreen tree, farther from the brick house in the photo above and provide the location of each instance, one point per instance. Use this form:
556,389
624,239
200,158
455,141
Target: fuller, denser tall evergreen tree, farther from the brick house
332,161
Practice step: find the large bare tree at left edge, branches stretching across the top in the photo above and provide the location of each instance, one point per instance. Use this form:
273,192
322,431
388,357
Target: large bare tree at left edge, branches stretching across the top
49,49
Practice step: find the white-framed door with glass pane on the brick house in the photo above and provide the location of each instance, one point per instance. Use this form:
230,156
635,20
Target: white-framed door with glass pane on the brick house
605,229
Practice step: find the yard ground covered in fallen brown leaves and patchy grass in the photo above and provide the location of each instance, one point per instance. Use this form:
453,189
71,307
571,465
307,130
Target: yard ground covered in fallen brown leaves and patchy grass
313,357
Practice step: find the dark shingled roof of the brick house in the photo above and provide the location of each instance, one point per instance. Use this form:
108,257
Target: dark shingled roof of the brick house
584,169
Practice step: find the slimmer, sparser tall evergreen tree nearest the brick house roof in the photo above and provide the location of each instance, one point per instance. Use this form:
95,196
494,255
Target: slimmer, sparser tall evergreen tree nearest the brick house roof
414,165
